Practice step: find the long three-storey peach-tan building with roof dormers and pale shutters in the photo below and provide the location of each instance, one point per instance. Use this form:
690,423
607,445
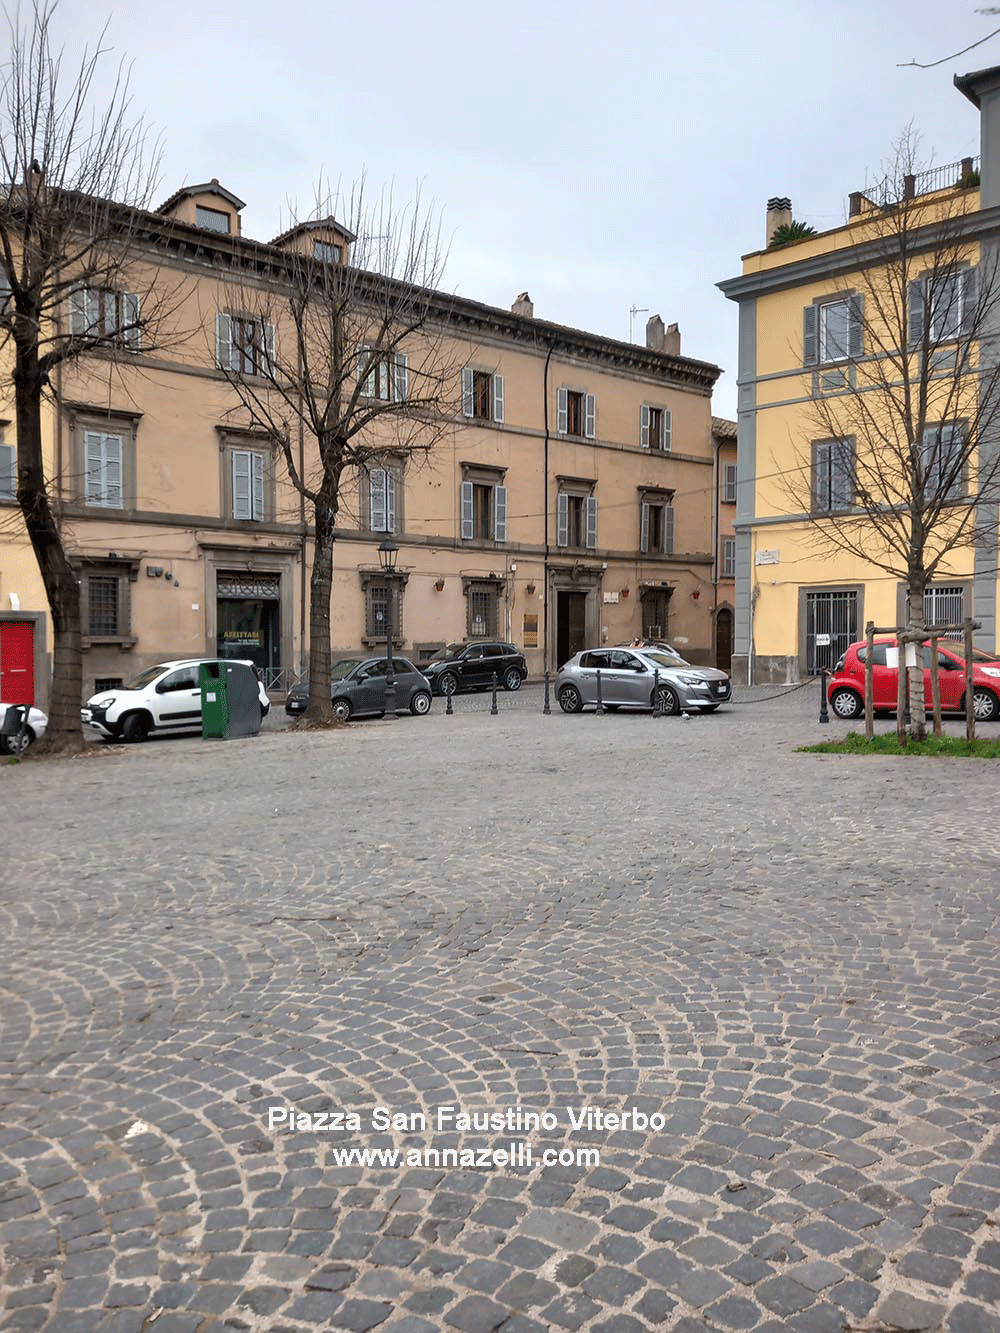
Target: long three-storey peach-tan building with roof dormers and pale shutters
571,502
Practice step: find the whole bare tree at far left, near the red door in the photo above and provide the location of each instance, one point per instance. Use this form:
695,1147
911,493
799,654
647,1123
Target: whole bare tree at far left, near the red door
74,169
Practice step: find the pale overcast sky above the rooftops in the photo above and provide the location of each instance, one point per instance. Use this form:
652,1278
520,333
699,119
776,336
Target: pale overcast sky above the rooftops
602,157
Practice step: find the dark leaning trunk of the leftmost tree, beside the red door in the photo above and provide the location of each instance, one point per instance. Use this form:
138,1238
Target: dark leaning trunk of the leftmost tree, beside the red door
65,731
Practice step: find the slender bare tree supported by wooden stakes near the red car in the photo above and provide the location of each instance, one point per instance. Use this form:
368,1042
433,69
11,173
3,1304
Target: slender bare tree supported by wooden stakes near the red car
902,465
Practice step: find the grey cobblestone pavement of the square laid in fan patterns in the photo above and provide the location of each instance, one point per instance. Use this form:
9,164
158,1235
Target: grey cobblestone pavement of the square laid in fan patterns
683,918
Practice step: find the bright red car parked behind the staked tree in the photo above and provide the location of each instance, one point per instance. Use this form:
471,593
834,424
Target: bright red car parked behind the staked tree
846,690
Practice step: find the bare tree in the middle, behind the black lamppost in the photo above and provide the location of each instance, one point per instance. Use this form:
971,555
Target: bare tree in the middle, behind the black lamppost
347,349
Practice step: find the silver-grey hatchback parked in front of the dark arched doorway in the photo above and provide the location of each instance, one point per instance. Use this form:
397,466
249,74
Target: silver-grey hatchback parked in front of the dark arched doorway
629,678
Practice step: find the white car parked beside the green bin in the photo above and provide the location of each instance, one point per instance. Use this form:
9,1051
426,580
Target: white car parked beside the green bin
166,698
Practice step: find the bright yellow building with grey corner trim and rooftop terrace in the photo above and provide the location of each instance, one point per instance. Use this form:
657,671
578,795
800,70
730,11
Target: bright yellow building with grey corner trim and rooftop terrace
815,363
